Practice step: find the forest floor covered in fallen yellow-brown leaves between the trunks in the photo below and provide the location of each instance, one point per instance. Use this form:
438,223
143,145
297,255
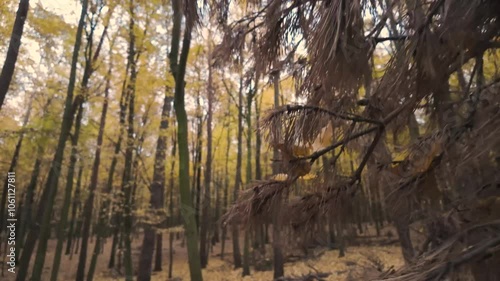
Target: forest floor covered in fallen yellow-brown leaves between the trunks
326,261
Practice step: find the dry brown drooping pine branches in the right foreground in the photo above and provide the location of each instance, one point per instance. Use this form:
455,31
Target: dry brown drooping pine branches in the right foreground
438,37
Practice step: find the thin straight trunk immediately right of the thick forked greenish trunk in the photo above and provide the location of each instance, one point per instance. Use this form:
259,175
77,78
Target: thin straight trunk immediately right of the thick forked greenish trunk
208,173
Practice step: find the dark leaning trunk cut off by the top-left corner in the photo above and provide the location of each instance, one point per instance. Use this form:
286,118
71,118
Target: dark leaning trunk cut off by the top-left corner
13,51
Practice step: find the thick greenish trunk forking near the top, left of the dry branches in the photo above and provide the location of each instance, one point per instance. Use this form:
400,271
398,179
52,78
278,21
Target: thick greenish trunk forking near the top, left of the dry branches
178,68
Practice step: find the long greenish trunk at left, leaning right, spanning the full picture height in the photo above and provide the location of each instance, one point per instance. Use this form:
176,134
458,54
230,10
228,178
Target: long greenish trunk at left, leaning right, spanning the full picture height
42,227
